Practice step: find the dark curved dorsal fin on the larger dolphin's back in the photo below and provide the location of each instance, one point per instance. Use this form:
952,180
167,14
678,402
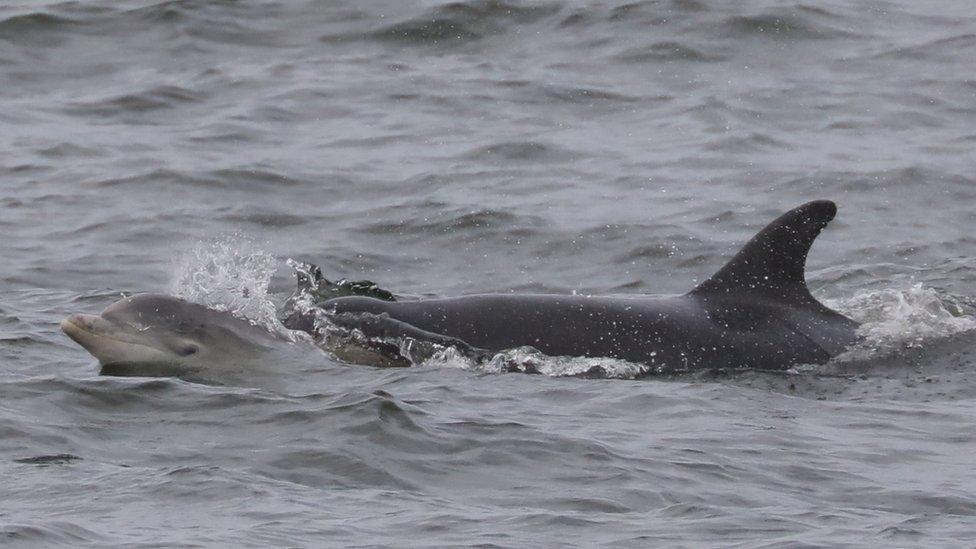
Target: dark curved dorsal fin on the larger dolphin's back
771,265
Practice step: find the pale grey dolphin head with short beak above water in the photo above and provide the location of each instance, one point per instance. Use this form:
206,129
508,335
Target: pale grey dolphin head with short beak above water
159,335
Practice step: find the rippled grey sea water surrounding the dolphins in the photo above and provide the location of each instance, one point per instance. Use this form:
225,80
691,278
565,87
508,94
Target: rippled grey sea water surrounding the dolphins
597,147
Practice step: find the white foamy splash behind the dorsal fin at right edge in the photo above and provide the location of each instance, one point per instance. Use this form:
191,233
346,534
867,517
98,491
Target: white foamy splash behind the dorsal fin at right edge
894,319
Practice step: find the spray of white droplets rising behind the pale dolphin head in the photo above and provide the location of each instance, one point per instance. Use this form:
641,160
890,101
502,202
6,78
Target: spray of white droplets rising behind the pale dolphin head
232,274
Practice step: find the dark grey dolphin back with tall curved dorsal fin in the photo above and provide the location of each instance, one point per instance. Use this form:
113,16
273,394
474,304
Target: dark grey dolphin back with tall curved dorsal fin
755,312
